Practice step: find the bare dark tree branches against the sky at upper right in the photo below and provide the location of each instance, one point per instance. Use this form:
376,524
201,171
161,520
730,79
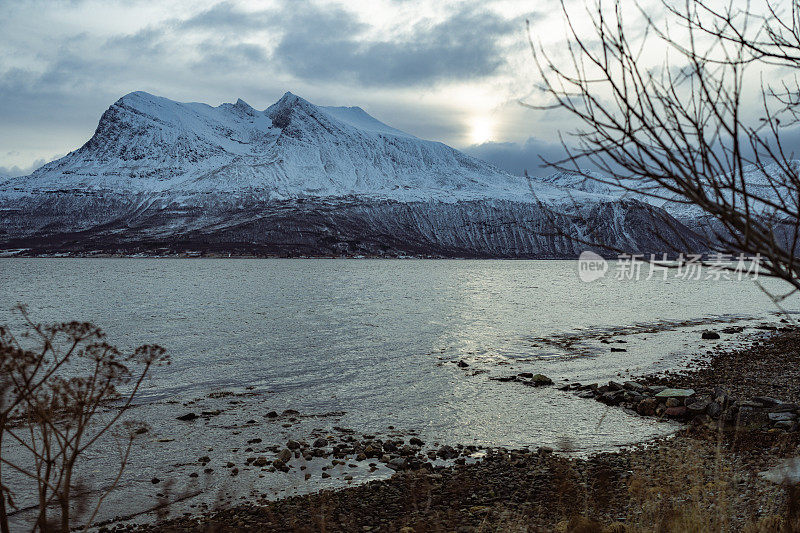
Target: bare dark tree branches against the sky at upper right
699,126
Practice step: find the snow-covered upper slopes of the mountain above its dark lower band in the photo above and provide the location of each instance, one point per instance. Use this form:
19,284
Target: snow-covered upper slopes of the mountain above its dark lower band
293,149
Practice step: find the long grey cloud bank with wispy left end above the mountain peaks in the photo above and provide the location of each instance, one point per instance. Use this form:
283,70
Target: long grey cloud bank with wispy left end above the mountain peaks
326,43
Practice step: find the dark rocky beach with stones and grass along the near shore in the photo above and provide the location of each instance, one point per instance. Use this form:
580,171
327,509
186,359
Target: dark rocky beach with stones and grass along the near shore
728,464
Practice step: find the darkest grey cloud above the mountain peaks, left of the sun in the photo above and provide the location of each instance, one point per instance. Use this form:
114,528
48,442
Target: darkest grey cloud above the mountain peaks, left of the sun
326,46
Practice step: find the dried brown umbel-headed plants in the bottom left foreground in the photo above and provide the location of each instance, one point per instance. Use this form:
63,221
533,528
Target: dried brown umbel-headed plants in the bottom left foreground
55,383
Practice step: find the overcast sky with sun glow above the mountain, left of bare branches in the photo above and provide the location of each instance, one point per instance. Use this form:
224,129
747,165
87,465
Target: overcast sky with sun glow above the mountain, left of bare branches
446,70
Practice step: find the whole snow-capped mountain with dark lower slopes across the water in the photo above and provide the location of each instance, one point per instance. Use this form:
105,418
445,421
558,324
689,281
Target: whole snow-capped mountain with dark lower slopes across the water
301,179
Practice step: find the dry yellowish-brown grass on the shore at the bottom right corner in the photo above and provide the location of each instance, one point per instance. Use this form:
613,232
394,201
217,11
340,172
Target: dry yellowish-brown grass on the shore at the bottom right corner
698,487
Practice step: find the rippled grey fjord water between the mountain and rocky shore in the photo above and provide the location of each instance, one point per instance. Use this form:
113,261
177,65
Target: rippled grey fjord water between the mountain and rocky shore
366,345
